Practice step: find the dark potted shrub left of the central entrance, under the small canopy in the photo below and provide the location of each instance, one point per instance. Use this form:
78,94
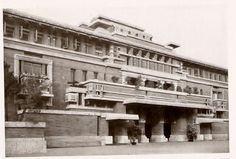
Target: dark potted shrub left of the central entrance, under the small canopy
133,133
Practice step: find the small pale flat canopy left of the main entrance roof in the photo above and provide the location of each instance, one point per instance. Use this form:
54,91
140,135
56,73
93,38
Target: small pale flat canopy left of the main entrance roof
116,116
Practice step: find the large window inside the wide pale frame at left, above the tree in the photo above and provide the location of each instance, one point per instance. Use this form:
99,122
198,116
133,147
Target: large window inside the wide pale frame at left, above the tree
33,68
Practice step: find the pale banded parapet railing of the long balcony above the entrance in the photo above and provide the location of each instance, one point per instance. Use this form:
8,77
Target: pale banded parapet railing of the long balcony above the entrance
114,91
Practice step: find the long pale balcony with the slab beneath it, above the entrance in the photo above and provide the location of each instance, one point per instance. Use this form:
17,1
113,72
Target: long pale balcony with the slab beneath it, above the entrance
128,94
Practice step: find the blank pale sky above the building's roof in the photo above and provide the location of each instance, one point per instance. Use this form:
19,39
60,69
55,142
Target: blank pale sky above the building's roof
200,27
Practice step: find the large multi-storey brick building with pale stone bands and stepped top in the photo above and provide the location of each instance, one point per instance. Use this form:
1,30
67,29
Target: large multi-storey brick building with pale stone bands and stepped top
106,73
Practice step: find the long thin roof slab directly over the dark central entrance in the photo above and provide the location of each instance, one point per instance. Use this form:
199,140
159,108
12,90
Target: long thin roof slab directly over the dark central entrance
165,103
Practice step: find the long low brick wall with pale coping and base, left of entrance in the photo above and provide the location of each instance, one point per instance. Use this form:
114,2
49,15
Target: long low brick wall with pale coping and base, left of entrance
71,128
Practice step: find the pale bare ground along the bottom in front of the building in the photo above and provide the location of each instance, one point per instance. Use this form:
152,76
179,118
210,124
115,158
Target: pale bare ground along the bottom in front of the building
148,148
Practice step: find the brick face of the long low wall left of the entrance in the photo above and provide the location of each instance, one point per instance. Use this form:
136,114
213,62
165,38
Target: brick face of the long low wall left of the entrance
67,125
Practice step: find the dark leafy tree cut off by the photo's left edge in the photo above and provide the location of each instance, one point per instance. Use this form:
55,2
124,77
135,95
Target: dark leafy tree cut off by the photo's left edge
12,89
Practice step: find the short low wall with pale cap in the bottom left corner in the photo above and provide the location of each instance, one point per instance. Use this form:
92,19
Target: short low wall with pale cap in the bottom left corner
25,138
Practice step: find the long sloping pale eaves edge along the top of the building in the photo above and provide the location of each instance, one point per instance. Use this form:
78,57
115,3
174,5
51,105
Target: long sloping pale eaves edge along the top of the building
115,39
